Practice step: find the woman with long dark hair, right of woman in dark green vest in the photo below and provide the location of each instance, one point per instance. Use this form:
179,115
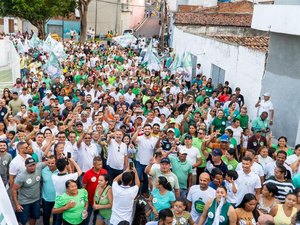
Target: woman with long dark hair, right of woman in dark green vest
247,213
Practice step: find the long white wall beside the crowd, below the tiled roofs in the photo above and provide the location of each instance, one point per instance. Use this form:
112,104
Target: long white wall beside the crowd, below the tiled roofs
244,67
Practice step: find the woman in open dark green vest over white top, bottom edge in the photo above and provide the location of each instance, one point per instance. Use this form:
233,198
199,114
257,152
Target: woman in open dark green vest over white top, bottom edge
218,210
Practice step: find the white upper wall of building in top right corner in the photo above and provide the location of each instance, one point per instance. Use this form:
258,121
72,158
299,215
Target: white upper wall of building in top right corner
277,18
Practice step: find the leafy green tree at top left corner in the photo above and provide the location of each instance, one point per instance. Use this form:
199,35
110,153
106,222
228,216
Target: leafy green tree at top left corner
37,12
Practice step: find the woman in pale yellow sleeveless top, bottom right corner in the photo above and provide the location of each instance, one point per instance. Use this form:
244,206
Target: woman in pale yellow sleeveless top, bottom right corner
285,212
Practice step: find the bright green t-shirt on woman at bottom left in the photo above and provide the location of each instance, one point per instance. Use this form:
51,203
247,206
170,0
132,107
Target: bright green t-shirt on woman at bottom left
73,215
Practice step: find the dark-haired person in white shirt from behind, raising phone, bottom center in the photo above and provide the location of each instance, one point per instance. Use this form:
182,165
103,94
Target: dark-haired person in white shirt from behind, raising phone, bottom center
123,196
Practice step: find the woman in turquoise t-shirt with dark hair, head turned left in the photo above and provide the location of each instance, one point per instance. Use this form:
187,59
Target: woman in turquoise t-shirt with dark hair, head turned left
161,197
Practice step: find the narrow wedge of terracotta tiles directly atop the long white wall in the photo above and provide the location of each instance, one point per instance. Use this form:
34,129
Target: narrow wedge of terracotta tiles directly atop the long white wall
257,42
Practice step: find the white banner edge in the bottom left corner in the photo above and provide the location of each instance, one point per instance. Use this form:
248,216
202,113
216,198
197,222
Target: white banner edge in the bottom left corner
7,214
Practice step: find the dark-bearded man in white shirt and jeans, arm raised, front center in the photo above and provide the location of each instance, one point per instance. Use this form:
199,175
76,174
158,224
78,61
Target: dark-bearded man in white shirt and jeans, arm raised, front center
146,146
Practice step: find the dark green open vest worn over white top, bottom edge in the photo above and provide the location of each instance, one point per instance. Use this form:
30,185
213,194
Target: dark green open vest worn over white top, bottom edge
224,219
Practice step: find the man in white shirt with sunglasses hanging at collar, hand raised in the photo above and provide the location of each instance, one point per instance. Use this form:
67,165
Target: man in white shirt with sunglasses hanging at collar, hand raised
117,158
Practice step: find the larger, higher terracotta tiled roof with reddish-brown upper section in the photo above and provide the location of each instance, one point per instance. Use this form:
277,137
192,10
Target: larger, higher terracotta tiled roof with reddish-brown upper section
224,14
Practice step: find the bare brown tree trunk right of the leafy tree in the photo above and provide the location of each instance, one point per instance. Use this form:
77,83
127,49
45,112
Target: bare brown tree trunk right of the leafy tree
83,9
